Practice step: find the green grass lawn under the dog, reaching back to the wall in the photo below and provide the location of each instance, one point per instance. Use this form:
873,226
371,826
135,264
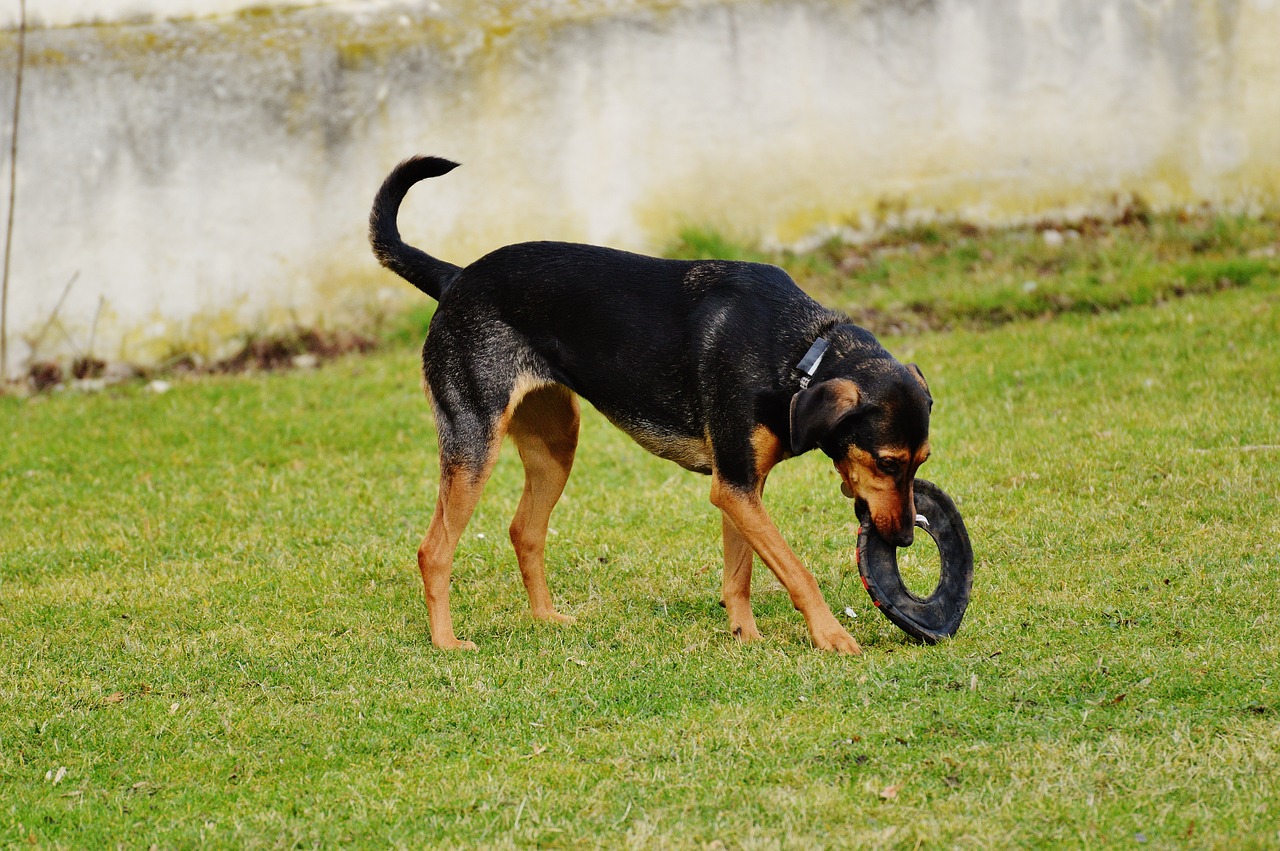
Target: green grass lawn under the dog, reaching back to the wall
212,628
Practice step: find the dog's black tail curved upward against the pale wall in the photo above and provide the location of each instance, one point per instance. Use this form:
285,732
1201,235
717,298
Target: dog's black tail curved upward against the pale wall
433,277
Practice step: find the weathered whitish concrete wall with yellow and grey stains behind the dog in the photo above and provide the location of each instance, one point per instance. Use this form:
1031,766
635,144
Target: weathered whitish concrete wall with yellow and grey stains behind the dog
204,177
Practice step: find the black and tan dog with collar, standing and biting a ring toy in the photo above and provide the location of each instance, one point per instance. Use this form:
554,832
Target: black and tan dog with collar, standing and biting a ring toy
724,368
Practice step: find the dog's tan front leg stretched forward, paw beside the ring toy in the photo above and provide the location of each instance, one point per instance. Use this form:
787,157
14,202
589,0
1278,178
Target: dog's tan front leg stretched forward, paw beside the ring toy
744,509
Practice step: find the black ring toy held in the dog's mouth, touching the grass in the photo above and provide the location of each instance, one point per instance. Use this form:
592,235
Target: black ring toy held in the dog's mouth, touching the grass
938,616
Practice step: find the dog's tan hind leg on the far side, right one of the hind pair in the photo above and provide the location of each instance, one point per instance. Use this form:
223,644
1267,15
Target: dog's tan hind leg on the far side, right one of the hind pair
546,432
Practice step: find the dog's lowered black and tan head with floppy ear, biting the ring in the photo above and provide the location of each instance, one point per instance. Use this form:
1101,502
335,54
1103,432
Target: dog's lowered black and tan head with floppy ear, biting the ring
875,425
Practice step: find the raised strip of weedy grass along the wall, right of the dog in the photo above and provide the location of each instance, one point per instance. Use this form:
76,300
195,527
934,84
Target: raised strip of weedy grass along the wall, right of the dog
953,274
